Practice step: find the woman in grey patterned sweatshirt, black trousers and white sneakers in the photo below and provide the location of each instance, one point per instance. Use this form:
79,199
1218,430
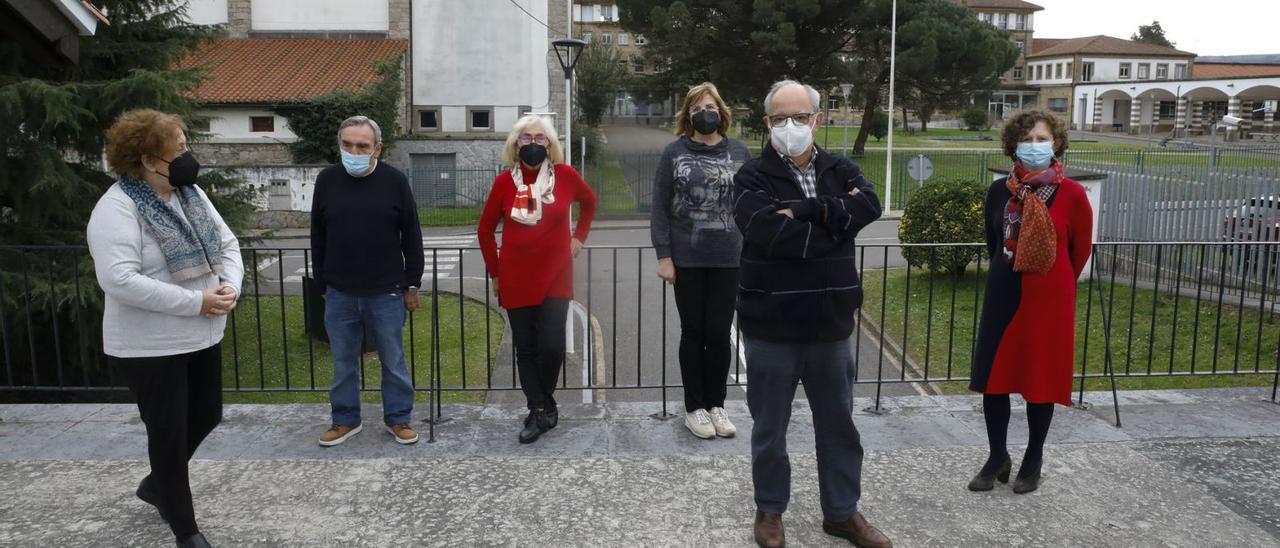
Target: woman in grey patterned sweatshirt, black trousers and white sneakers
693,231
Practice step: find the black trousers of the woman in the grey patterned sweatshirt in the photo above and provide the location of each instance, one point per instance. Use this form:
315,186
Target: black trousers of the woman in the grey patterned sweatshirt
706,299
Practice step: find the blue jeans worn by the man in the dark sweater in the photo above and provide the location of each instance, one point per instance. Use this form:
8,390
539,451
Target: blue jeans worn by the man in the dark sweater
348,318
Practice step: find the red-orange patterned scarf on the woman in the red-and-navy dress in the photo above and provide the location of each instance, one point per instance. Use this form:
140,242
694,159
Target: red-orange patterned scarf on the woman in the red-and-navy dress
1031,240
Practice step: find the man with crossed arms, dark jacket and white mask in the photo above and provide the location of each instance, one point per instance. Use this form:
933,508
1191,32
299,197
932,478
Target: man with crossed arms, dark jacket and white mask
799,209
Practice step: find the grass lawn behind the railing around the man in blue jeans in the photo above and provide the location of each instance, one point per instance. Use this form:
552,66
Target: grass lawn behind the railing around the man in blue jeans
262,358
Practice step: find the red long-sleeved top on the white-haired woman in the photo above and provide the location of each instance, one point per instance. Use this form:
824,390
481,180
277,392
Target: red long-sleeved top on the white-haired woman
536,262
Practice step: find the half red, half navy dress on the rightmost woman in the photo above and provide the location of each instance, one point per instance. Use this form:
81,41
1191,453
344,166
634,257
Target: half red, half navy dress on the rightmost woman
1027,337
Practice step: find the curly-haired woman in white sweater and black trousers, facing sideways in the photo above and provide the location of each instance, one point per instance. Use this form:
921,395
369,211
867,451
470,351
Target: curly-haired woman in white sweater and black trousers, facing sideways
171,271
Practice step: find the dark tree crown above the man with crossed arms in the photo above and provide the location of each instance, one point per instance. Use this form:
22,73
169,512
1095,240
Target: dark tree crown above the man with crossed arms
742,47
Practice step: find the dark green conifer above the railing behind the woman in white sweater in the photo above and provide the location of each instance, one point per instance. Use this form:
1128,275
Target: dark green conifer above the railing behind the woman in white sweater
53,120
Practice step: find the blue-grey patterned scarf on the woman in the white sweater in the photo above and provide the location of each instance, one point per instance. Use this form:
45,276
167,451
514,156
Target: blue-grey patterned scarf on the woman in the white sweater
190,249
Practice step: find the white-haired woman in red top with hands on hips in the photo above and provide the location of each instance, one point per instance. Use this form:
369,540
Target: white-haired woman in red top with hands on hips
534,270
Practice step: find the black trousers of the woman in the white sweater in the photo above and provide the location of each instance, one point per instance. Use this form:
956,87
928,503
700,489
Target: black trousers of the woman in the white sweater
181,401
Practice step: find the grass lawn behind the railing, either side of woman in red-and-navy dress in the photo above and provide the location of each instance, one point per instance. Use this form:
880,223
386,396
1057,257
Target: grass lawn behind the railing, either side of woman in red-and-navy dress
1205,337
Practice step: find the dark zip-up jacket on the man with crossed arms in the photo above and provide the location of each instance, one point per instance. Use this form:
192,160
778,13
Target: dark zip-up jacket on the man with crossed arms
799,277
